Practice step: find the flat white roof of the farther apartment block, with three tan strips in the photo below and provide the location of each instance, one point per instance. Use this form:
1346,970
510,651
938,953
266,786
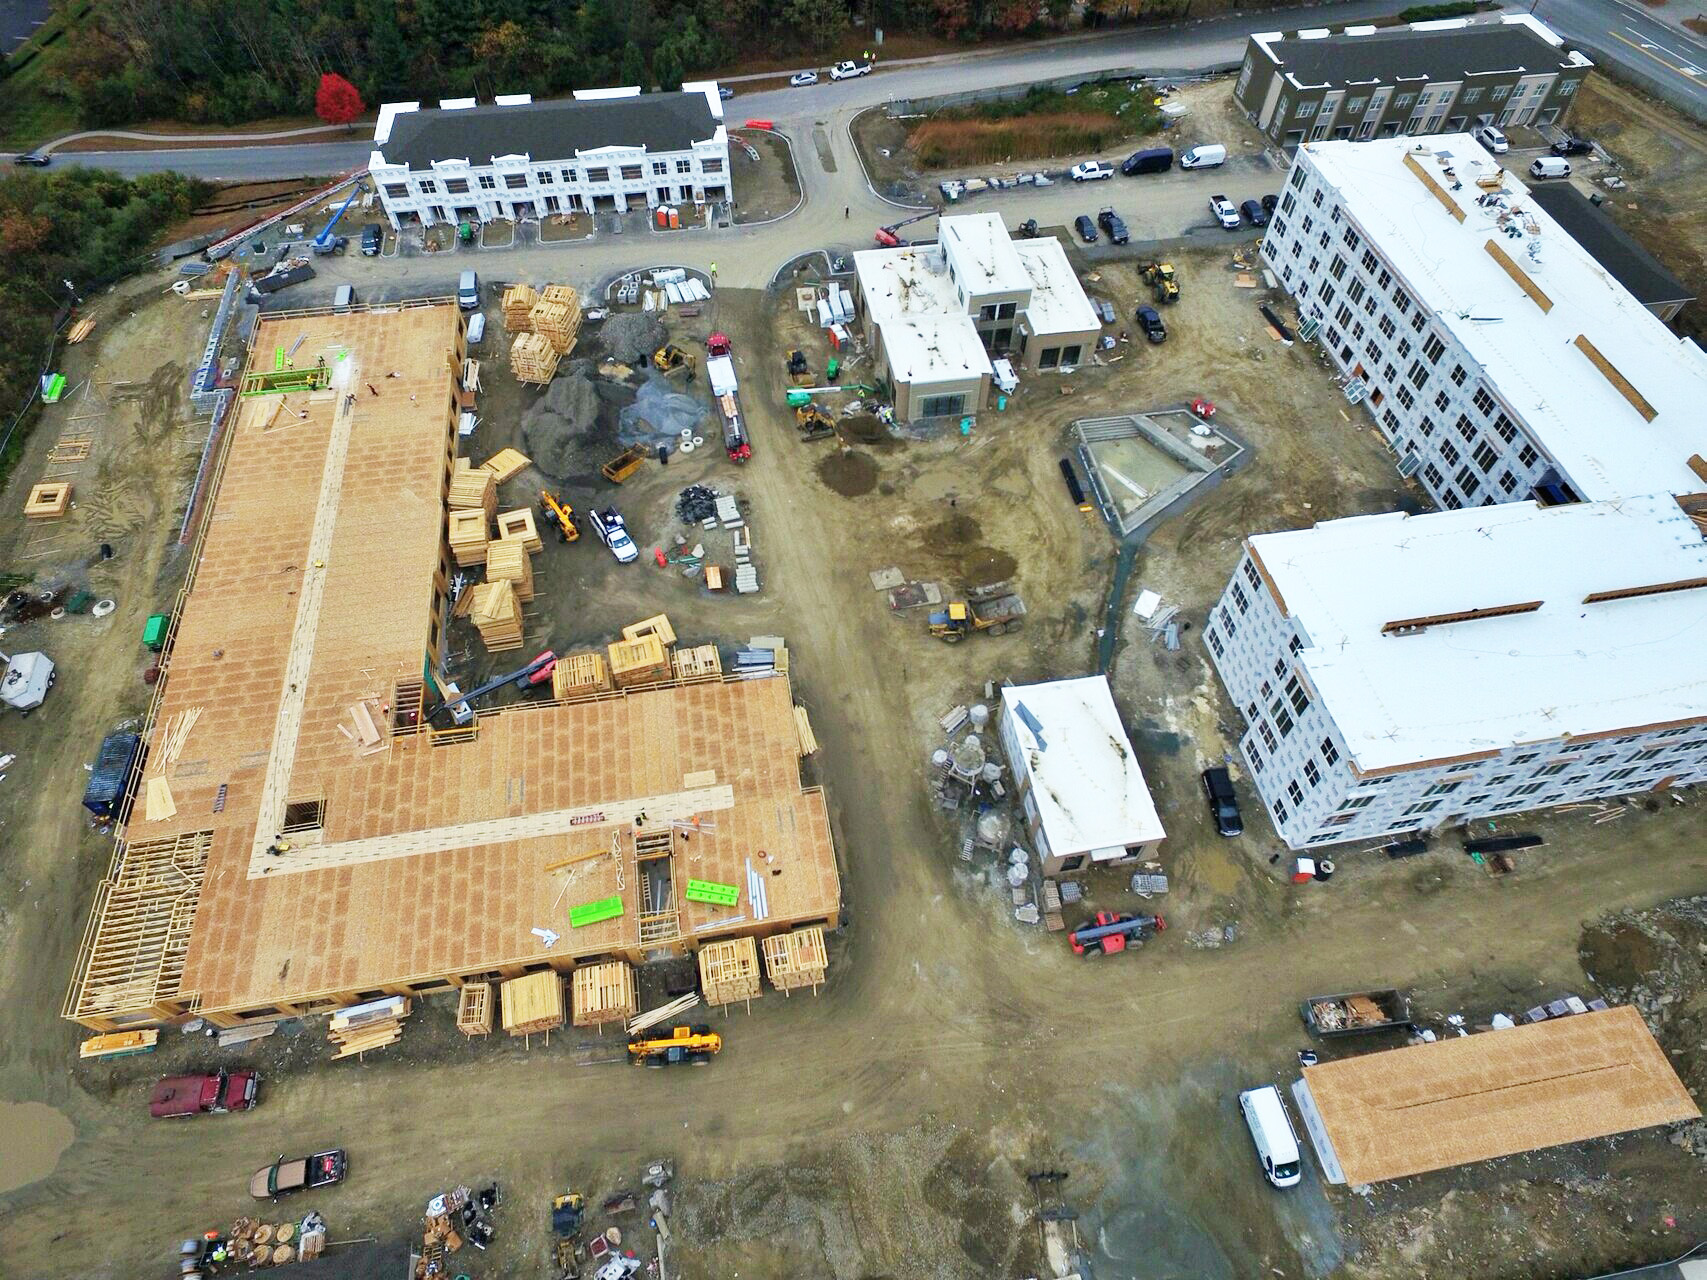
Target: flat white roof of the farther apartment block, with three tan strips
1578,412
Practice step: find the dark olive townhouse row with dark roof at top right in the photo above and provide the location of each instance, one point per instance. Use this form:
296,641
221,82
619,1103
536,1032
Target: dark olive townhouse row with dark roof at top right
1428,78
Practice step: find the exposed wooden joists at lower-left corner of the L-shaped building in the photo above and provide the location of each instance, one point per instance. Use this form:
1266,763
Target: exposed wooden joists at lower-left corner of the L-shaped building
139,934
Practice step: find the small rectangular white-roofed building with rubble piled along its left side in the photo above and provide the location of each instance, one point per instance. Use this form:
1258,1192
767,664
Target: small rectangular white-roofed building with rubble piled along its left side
1080,783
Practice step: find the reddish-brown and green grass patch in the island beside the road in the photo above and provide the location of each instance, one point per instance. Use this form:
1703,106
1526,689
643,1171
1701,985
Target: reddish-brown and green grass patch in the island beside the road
1044,124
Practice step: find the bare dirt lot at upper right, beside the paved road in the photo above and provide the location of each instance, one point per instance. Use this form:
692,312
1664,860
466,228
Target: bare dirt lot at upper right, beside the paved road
1663,158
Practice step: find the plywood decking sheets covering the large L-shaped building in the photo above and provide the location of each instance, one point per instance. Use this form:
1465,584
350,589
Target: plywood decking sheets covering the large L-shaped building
458,909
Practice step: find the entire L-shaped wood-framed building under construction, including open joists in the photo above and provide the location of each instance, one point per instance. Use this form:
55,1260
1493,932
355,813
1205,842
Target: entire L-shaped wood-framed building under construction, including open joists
320,854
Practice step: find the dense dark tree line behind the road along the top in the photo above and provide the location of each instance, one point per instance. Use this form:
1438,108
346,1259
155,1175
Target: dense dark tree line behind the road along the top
236,61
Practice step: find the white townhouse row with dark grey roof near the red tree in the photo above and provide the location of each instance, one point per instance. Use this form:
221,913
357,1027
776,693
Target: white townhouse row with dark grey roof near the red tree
605,149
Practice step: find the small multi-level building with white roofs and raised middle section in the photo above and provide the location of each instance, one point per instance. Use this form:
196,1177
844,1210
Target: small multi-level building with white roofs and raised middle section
936,313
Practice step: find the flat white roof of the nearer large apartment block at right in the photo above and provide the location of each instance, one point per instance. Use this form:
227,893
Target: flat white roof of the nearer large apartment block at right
1471,687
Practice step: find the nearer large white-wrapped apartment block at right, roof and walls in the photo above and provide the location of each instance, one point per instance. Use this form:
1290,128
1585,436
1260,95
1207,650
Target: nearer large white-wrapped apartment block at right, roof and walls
1401,673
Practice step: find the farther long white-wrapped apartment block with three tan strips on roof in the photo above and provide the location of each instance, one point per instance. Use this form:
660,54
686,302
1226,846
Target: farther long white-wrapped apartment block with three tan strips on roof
1496,356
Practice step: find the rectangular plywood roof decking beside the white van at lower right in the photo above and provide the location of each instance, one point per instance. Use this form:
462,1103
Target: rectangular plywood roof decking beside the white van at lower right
1477,1098
